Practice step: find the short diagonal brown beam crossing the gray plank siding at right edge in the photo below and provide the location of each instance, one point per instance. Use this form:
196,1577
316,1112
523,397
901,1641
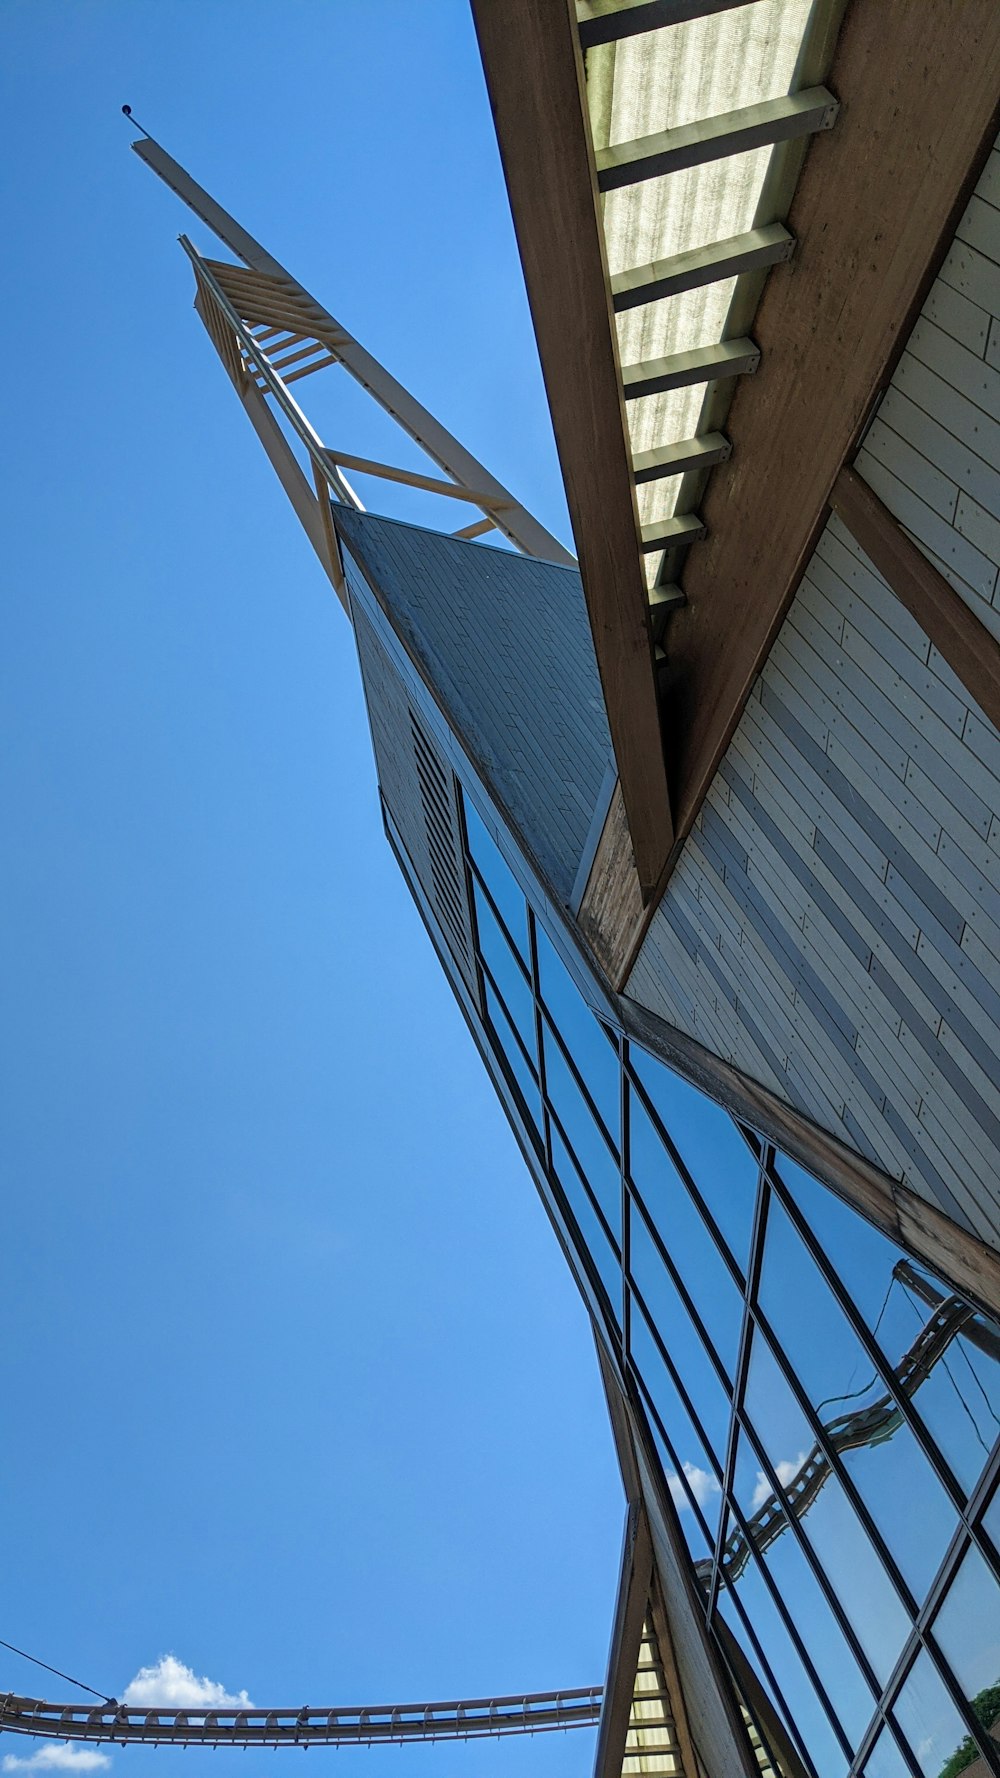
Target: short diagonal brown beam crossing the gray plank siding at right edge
944,616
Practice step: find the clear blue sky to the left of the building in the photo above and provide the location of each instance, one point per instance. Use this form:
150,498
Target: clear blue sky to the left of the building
296,1382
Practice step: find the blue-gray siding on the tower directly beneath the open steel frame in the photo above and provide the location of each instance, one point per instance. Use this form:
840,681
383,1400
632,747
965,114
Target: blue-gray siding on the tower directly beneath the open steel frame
504,646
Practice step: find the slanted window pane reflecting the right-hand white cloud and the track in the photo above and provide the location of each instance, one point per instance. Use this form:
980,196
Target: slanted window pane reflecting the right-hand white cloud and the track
837,1535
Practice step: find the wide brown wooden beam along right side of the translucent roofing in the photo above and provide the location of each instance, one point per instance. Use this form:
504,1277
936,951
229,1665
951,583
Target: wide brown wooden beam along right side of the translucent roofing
875,212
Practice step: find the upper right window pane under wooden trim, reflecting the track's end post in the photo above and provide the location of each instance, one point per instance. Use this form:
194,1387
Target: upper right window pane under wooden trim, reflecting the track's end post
960,1393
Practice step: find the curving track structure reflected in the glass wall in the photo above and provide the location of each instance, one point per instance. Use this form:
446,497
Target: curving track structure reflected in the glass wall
866,1427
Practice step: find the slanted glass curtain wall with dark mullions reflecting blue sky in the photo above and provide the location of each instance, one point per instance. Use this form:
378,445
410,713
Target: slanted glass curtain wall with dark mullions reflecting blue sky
827,1411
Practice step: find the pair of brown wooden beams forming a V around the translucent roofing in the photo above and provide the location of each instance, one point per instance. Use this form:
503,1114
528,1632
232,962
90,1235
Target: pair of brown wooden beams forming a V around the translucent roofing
873,216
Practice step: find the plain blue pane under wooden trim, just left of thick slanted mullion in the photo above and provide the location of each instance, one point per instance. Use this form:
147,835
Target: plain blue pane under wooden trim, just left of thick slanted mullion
711,1148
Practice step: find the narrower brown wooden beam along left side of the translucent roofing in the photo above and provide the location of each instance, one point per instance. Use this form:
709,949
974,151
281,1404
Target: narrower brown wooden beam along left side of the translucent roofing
536,88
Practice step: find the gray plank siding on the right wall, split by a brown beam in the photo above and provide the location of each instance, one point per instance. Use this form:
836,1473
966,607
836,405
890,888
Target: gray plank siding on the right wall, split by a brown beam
834,927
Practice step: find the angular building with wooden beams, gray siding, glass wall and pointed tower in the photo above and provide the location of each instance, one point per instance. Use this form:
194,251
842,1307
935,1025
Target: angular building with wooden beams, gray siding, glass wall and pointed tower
706,828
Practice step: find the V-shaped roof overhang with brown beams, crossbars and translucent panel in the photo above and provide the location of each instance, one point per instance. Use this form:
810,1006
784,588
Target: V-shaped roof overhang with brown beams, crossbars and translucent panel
716,316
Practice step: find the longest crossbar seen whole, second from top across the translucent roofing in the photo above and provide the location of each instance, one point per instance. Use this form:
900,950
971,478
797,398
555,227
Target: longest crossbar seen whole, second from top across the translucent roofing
693,145
